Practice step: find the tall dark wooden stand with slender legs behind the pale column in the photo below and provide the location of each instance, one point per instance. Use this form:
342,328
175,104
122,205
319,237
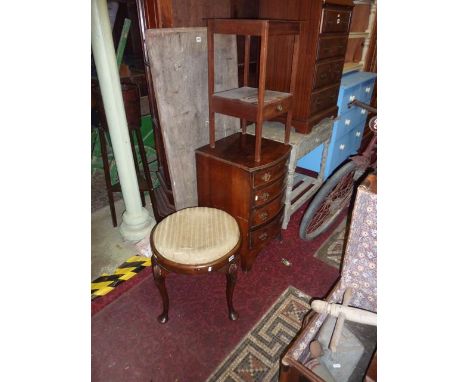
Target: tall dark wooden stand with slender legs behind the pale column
131,97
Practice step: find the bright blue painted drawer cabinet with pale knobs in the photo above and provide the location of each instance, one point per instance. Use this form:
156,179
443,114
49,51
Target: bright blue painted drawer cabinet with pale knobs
348,129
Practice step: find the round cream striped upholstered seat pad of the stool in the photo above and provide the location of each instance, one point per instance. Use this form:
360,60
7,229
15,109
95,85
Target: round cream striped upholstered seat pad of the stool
196,235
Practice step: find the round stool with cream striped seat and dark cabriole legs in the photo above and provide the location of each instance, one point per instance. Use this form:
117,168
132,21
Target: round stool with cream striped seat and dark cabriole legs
193,241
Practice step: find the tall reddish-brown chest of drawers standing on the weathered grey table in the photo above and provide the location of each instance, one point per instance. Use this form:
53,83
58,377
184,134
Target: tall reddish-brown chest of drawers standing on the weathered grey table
324,39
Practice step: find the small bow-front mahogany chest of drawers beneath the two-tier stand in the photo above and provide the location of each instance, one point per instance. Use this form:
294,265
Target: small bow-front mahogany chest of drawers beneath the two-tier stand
229,178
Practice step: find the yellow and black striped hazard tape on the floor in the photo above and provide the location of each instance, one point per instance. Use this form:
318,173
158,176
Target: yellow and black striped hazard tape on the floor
105,283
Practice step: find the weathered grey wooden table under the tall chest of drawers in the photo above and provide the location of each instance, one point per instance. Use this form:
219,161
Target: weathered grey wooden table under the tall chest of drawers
299,186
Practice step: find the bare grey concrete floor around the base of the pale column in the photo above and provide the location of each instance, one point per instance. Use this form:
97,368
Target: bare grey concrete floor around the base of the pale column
108,249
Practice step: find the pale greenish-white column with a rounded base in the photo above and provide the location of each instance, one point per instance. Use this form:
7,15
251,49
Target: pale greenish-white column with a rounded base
137,222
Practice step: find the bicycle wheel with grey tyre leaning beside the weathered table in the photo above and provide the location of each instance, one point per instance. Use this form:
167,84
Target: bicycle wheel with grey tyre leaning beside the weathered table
329,201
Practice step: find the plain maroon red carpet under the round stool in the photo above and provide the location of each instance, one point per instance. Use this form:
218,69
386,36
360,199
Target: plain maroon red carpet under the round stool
129,344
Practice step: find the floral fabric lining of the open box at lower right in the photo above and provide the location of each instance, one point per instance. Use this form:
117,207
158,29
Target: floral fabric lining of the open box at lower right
359,268
